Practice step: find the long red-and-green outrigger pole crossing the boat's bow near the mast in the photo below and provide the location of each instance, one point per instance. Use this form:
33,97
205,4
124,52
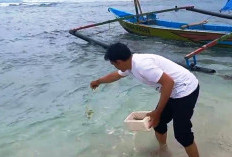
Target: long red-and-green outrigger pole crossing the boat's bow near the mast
128,17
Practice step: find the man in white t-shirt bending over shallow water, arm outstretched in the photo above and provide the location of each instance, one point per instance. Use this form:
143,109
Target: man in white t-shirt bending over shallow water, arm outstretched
178,87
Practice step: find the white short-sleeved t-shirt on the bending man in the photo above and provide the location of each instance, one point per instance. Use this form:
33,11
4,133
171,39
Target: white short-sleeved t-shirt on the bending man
148,68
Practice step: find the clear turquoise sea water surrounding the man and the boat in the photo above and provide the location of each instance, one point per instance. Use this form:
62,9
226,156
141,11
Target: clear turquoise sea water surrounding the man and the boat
45,74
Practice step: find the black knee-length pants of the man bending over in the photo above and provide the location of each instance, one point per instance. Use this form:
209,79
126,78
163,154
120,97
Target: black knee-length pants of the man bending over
181,111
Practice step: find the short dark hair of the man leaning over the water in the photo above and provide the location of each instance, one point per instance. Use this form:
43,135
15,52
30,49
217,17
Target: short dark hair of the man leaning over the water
117,51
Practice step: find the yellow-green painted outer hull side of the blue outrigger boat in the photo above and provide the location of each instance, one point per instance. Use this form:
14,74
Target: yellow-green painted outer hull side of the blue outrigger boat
193,35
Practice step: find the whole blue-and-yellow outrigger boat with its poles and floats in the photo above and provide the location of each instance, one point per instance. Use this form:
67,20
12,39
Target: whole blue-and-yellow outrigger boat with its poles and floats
147,24
